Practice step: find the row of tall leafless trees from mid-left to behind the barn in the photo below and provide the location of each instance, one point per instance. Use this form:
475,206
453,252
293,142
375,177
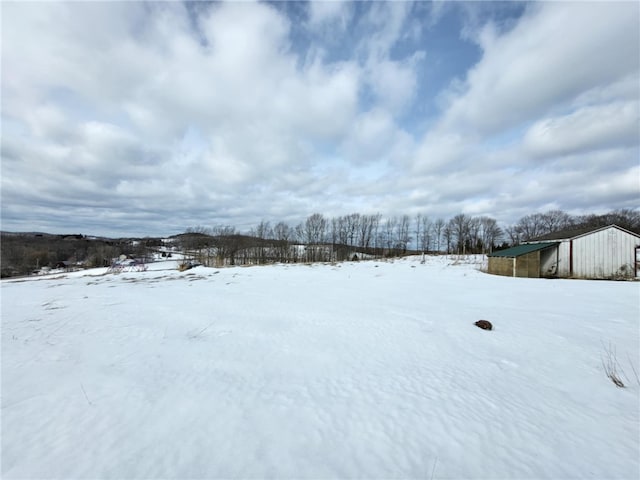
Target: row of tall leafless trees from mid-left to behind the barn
319,238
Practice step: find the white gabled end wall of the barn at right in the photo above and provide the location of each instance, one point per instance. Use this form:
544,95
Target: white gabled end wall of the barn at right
605,254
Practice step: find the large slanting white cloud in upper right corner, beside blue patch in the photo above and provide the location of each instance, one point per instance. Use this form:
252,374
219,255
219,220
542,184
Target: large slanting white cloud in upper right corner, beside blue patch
556,52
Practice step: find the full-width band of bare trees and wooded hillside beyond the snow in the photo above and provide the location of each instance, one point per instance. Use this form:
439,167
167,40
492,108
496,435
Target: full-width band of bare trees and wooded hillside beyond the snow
317,238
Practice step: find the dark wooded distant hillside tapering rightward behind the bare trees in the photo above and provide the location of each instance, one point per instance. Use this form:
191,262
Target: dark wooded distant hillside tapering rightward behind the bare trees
24,253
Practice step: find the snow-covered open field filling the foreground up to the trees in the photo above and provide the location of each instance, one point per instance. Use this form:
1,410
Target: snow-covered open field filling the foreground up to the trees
355,370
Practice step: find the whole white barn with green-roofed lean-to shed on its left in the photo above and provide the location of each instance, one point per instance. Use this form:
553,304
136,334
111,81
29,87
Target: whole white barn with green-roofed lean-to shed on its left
605,252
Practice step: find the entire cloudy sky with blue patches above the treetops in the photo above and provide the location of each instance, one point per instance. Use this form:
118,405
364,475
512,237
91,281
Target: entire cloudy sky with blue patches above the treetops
132,118
